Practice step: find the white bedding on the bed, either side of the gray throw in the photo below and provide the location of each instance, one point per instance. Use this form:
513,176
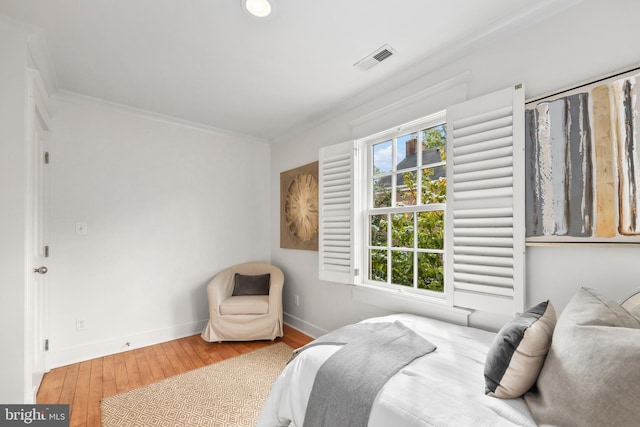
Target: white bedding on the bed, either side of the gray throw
443,388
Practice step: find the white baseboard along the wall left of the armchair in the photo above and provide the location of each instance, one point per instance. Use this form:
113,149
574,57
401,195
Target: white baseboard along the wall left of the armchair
67,356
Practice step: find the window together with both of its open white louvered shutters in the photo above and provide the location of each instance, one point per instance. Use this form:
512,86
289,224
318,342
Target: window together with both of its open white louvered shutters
403,210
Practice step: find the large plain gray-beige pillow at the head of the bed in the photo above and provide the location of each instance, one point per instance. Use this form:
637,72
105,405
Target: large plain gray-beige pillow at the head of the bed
591,376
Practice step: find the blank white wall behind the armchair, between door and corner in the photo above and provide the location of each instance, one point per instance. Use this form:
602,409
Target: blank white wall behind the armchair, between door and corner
167,206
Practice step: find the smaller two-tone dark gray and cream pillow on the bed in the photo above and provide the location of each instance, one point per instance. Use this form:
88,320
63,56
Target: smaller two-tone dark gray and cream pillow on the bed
518,351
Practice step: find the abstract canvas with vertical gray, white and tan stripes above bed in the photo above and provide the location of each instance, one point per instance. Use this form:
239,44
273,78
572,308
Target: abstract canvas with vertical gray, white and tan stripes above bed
583,163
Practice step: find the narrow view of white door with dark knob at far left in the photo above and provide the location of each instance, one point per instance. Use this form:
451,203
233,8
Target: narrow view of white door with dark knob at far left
38,236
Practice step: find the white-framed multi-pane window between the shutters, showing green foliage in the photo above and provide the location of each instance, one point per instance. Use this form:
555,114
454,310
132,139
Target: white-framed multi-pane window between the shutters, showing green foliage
406,195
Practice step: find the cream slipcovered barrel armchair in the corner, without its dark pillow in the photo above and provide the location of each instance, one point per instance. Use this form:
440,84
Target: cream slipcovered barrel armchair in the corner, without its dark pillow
244,317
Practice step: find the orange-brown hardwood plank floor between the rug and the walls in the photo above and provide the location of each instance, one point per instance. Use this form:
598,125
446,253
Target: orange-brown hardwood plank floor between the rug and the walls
83,385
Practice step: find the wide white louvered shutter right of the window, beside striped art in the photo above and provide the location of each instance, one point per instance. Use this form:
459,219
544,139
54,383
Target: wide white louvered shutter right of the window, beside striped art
485,235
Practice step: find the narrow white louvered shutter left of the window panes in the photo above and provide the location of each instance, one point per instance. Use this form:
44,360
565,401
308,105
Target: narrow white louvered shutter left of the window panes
337,175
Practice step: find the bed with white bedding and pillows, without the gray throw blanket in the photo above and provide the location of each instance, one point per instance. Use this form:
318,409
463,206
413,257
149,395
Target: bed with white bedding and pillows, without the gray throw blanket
582,370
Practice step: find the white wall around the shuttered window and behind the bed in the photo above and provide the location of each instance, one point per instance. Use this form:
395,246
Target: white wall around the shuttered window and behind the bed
588,40
